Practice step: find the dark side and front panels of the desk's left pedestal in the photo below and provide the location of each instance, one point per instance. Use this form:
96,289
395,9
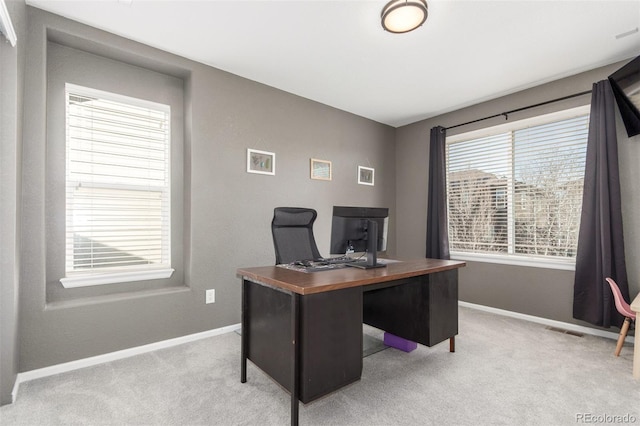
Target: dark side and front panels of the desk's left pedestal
330,338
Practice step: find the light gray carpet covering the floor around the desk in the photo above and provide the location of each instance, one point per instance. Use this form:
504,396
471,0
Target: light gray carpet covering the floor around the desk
504,372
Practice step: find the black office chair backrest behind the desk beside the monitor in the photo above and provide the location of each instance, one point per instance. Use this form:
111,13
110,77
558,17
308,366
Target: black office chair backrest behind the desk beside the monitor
292,229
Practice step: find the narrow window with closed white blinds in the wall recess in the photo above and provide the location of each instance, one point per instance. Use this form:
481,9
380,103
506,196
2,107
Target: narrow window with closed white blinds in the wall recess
117,186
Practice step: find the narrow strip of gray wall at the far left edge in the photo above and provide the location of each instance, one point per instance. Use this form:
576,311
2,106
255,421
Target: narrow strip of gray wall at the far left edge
11,83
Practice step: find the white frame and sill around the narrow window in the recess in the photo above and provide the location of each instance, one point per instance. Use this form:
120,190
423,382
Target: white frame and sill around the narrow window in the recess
84,278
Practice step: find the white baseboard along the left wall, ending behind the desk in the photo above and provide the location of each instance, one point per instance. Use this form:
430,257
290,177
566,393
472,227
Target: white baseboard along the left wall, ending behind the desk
114,356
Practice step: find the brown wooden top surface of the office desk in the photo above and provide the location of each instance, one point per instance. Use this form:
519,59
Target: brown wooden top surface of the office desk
336,279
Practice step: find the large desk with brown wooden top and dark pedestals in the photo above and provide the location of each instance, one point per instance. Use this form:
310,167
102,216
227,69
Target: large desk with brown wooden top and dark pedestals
305,329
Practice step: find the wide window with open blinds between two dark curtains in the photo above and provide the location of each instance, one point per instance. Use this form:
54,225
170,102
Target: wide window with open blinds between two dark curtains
517,191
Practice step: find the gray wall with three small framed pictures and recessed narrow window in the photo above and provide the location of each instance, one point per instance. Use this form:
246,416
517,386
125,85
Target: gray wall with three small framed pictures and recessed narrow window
227,212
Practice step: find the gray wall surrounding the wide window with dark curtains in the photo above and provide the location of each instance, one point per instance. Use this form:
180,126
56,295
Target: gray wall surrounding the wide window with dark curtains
541,292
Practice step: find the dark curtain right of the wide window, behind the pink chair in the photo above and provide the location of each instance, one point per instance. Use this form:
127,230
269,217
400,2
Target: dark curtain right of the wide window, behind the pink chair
600,251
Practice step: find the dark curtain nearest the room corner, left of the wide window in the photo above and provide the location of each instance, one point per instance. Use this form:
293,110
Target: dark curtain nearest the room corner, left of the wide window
437,226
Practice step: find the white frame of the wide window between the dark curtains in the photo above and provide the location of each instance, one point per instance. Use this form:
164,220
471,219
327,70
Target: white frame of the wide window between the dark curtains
548,262
